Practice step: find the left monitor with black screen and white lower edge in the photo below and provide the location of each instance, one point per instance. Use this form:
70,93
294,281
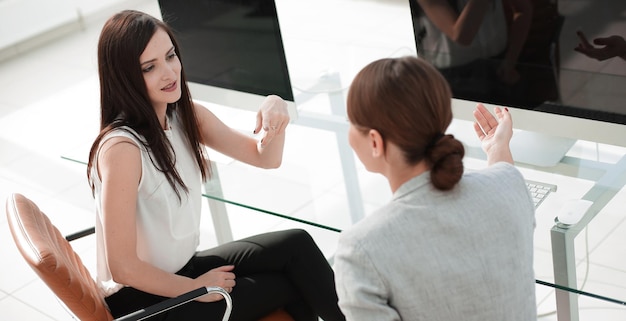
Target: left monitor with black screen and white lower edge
232,50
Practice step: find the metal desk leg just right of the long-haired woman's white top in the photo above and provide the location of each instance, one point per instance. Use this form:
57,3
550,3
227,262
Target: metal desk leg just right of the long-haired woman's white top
219,215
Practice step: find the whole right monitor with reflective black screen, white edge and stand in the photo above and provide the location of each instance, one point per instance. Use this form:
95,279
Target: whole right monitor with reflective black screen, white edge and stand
557,94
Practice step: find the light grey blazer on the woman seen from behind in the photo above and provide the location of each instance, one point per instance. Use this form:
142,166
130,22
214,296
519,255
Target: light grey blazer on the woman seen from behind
464,254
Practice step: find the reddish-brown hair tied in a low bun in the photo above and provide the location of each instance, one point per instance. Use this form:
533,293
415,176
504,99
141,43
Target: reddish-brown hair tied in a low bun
409,103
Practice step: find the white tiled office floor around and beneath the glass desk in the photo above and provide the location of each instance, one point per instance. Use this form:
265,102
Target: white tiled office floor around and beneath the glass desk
49,109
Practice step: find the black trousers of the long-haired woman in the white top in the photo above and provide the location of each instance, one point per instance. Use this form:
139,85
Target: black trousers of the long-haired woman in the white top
283,269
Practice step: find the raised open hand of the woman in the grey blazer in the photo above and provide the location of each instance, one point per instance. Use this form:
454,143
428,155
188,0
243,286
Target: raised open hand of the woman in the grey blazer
495,133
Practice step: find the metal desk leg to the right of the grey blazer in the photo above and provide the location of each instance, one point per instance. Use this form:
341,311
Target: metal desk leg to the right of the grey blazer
564,264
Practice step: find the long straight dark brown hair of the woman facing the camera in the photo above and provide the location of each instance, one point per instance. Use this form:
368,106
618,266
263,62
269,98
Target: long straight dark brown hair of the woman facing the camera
124,100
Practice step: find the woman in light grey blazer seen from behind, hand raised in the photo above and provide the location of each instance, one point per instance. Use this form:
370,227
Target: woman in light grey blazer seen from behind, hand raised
449,245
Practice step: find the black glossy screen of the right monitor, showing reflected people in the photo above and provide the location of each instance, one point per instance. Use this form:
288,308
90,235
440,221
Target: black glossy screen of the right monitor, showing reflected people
551,76
